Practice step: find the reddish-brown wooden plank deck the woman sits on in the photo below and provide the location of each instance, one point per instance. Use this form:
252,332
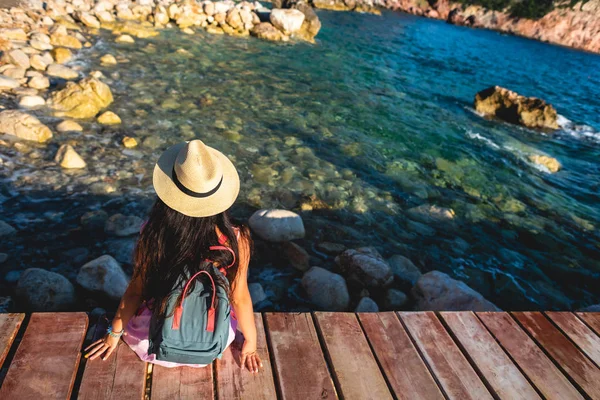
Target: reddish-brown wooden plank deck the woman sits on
406,355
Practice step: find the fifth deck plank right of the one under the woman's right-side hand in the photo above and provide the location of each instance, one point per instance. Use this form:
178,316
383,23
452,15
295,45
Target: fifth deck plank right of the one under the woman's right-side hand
496,367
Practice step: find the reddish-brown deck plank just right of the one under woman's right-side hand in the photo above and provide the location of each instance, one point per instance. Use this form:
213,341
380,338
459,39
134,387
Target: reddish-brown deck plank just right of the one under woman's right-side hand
299,361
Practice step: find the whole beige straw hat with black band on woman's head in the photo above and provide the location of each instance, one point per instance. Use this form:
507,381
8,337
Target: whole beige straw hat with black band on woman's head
196,180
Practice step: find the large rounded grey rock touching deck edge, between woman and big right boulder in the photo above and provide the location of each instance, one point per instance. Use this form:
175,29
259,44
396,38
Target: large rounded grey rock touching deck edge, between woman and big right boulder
326,290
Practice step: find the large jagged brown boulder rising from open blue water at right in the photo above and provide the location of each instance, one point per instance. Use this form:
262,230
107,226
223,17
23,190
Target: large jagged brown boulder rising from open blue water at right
511,107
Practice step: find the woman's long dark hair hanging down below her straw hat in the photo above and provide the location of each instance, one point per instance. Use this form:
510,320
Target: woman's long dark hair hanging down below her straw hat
172,247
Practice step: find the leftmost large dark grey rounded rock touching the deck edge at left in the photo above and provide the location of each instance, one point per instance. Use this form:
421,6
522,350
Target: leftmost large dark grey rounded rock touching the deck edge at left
43,290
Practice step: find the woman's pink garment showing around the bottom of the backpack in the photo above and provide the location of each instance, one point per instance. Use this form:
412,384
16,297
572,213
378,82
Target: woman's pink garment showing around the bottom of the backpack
136,336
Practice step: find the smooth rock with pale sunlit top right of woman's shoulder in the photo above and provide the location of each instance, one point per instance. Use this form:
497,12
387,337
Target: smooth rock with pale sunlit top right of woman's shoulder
277,225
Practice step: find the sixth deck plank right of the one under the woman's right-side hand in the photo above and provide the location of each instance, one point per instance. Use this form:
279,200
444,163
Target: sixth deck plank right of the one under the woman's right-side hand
529,357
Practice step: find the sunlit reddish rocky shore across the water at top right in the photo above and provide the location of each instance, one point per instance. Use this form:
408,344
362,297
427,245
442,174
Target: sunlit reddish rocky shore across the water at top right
575,25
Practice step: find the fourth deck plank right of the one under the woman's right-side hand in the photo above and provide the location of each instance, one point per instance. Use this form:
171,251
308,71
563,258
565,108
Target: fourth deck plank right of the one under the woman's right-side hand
449,365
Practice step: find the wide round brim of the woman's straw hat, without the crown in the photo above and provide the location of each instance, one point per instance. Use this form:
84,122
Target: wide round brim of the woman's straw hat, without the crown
188,205
